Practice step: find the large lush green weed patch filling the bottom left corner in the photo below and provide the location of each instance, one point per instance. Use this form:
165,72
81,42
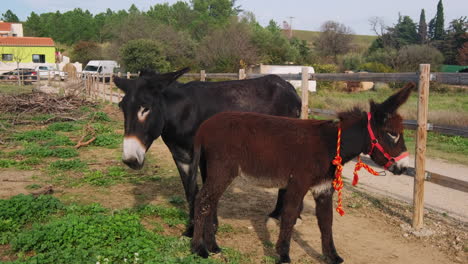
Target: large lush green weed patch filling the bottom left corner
44,230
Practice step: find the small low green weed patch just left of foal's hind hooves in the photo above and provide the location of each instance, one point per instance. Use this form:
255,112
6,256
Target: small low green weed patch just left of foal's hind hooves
170,215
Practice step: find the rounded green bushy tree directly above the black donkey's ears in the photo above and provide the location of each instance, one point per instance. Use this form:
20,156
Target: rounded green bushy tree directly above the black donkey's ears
142,54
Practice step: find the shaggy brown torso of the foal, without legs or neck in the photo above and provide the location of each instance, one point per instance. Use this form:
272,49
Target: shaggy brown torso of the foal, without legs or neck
267,149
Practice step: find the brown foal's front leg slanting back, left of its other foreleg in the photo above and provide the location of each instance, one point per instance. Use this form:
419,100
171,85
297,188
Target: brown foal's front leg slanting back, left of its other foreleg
293,198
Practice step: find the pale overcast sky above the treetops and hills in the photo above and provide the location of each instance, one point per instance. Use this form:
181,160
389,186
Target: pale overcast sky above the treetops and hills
308,14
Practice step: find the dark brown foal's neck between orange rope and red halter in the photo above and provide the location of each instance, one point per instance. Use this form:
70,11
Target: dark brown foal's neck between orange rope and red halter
354,139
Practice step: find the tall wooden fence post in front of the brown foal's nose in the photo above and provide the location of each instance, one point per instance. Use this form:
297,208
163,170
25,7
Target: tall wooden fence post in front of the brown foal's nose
421,138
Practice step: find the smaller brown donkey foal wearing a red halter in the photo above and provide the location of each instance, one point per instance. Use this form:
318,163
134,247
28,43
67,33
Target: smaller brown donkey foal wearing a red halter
270,151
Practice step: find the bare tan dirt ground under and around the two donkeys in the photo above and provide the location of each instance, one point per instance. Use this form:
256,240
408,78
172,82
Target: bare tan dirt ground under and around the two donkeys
366,234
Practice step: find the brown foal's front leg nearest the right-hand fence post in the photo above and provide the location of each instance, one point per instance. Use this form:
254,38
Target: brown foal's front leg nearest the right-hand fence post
324,213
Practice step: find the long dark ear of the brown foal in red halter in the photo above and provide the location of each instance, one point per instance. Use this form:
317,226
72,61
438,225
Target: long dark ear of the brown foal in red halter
390,106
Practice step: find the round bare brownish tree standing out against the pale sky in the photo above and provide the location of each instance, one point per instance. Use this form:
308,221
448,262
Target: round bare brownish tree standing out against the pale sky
335,39
